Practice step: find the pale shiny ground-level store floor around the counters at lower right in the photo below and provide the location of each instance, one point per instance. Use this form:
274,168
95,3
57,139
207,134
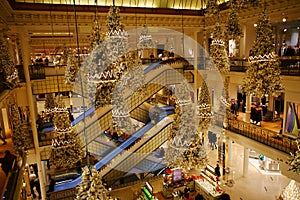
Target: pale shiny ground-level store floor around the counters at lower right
256,185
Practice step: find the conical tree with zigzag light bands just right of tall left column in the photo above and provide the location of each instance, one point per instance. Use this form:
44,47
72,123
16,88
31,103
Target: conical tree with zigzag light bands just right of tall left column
66,146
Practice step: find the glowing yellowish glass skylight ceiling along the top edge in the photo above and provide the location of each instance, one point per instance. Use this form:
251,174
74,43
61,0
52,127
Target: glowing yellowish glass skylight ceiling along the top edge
172,4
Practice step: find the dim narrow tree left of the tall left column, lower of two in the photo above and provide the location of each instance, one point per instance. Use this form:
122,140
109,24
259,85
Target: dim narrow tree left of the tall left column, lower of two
21,137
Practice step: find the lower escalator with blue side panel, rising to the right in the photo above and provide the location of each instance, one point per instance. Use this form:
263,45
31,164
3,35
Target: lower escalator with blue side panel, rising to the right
132,150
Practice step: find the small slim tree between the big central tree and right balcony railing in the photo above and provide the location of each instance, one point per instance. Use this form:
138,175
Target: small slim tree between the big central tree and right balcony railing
204,108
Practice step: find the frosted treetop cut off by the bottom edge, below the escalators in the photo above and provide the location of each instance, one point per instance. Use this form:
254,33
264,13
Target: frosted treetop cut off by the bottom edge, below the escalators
91,187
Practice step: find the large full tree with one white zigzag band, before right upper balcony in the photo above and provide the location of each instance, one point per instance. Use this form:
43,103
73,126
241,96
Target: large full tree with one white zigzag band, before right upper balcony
263,74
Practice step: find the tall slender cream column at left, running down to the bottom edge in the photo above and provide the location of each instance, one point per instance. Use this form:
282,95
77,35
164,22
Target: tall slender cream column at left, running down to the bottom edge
26,62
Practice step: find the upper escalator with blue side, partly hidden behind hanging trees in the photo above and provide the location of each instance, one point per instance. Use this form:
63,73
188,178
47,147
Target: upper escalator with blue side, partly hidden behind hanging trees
99,120
